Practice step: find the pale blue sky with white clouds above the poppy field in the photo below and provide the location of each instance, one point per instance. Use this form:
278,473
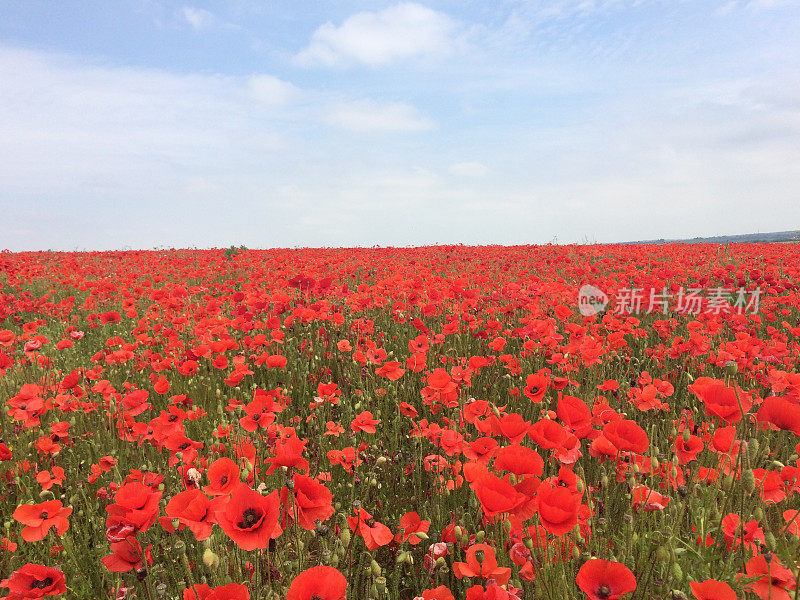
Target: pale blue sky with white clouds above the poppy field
140,124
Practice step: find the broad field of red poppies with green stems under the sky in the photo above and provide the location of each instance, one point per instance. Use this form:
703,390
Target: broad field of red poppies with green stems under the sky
436,423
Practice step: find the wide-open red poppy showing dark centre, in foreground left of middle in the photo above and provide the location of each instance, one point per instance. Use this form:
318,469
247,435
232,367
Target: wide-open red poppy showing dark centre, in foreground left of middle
250,519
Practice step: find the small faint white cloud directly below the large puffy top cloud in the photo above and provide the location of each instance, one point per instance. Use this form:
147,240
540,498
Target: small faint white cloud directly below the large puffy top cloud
369,117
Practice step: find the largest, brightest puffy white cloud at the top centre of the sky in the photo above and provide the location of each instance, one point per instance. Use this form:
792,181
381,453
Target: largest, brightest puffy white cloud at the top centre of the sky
403,31
